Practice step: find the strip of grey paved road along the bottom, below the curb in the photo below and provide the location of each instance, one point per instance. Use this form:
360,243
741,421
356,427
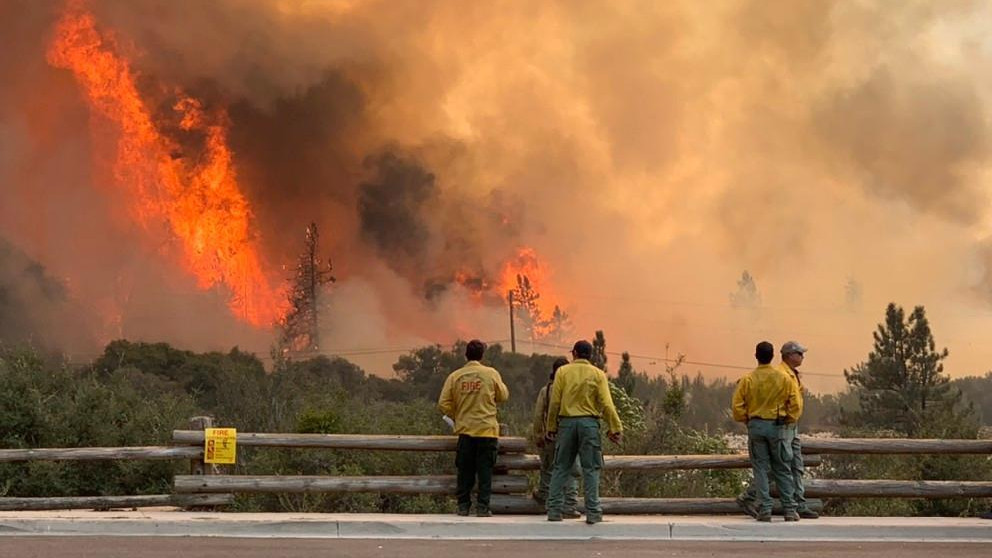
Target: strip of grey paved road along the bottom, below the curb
141,547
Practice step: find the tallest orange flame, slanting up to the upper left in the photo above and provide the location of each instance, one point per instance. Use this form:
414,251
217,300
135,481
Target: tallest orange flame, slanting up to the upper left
199,198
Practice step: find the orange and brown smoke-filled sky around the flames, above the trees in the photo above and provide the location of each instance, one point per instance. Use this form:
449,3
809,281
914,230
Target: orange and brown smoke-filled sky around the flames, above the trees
649,152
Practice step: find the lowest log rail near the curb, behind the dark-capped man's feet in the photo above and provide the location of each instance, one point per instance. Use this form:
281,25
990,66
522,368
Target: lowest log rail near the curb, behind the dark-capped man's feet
517,504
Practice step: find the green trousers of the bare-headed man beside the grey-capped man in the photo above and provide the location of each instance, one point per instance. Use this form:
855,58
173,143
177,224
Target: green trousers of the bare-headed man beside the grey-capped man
770,447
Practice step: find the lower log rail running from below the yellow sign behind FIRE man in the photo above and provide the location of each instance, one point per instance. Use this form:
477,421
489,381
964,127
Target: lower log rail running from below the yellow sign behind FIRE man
425,484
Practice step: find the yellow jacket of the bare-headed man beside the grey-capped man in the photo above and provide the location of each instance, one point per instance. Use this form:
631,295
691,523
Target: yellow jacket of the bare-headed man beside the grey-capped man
768,392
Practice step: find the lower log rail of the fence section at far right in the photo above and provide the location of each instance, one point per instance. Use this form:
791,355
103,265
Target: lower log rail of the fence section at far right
846,488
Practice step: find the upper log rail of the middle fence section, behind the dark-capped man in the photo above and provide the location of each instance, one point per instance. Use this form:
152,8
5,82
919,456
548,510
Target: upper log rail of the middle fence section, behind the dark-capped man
526,462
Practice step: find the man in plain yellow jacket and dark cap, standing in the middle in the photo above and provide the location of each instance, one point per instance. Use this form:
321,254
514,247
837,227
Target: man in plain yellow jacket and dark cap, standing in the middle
580,396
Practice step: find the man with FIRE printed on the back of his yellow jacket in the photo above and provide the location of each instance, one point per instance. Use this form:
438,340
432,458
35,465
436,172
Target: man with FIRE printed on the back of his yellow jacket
469,396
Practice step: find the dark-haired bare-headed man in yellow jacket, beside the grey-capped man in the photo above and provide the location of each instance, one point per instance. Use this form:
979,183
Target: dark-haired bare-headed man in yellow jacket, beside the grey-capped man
768,400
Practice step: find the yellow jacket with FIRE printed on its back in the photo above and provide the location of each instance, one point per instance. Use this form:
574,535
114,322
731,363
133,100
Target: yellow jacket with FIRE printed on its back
470,395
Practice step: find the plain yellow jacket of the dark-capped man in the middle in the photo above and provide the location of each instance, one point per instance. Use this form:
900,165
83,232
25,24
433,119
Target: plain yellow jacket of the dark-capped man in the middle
581,390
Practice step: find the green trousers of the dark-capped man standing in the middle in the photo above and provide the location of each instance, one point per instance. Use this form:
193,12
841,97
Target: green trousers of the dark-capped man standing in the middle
577,436
